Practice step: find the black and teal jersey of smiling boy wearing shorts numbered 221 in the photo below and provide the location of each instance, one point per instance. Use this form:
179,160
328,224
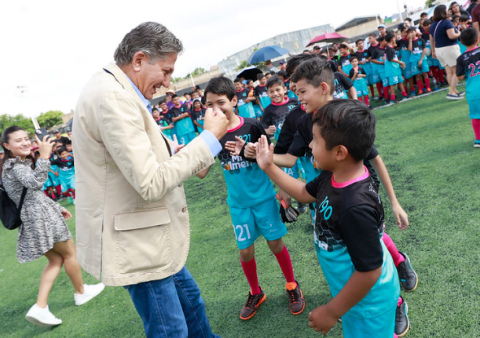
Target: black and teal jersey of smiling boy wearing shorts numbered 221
247,184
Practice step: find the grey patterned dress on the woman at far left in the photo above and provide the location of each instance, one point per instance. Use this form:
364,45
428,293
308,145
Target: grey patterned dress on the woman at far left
42,220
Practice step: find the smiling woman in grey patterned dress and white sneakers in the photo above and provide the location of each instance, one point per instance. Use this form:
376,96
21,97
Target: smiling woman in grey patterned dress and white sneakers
44,231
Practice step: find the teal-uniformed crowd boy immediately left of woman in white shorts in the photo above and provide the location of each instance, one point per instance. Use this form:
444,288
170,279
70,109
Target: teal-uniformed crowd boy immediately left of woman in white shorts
419,63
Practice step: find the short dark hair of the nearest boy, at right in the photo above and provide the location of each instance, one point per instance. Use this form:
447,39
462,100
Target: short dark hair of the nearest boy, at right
349,123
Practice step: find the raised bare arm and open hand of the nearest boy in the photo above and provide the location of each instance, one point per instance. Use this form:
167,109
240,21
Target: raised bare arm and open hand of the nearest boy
290,185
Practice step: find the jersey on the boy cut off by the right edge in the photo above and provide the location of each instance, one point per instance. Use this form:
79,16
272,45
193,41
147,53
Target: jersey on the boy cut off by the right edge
468,64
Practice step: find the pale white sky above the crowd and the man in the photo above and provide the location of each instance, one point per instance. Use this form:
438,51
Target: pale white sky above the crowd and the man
54,47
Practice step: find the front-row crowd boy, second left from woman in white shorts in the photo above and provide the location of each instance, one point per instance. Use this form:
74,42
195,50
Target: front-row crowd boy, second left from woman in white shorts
393,73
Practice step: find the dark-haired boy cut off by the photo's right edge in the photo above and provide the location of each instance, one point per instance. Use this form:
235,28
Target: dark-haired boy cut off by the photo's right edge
468,66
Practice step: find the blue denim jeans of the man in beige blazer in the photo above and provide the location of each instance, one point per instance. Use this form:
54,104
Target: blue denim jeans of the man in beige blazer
171,307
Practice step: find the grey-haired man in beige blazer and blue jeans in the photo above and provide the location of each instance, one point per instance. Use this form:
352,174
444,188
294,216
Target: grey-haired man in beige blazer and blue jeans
131,212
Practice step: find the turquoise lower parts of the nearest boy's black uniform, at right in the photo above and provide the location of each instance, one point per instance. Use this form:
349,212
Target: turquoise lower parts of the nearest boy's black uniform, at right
337,268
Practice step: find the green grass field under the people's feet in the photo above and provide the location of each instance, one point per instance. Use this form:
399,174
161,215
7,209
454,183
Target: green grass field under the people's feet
427,145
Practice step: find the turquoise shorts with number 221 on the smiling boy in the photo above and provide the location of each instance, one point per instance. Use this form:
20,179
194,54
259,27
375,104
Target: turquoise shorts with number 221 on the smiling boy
262,219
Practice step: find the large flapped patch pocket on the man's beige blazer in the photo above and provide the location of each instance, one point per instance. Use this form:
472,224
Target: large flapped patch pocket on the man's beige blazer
142,241
